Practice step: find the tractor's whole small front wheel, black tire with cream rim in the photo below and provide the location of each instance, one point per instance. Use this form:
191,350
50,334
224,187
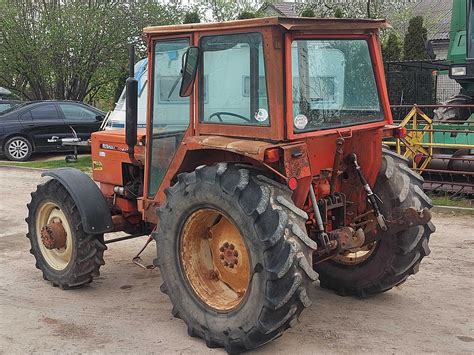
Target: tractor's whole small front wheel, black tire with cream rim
67,256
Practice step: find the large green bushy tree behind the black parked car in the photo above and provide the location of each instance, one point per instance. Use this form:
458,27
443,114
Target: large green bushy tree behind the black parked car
72,49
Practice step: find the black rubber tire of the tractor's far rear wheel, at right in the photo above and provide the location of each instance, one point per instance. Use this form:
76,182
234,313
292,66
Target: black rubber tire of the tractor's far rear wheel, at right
396,257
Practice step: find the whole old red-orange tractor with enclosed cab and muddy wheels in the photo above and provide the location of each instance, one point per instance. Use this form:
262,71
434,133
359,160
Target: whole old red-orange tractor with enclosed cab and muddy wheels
261,167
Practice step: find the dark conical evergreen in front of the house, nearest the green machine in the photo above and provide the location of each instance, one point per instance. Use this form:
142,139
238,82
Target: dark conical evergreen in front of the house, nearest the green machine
415,39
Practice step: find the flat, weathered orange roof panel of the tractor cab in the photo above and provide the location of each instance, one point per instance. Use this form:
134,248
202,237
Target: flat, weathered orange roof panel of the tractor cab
287,23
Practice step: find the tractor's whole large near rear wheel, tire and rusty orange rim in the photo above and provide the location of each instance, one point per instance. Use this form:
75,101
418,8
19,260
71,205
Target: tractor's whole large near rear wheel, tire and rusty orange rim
273,268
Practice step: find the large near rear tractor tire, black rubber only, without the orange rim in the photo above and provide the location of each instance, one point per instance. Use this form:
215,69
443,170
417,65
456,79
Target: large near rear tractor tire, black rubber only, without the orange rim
279,249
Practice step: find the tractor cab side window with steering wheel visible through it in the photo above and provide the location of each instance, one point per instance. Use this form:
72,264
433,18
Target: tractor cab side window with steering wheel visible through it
234,69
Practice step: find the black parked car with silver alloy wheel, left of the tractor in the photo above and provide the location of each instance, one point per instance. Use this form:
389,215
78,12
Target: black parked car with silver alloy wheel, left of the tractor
31,126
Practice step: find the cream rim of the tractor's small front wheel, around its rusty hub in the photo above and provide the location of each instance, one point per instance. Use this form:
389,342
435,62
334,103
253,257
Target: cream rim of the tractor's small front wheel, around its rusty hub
49,212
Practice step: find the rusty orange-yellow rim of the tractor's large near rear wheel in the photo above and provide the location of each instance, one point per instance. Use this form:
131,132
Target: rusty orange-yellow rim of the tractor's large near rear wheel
214,259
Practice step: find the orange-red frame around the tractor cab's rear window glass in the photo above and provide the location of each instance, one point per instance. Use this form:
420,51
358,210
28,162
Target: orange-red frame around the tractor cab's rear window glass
379,76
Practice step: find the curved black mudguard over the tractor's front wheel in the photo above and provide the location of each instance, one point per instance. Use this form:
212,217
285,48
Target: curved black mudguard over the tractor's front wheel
91,204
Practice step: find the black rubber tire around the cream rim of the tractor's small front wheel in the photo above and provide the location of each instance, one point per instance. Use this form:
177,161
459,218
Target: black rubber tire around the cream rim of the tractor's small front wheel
88,253
